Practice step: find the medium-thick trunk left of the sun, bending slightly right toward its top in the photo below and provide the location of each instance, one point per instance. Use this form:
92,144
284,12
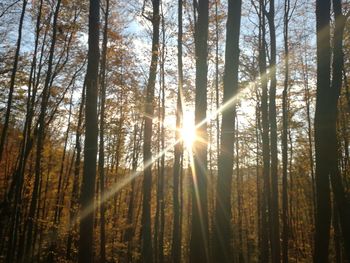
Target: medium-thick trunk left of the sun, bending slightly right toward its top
147,253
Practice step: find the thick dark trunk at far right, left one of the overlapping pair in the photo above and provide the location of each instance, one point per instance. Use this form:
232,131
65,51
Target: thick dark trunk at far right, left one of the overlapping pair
322,139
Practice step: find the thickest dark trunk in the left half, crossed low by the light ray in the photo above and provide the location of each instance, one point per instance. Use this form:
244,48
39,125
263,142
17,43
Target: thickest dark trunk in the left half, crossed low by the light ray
85,253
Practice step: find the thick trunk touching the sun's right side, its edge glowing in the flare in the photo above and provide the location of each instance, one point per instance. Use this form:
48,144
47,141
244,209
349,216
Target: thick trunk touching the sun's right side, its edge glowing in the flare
199,244
